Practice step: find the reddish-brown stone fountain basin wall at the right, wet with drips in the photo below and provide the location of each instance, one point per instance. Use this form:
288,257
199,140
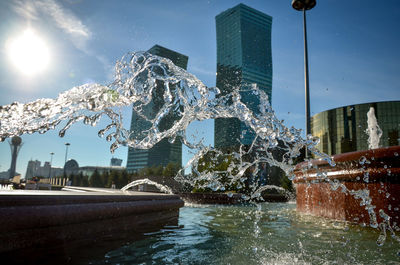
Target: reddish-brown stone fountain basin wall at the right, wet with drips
376,170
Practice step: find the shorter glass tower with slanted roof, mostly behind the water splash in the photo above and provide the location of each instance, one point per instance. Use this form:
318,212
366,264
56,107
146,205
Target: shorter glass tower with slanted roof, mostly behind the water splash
163,152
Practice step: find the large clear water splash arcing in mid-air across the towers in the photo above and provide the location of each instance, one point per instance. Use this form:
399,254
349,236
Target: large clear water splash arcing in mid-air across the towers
141,79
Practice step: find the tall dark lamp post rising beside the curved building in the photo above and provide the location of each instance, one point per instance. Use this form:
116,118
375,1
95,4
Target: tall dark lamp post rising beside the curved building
303,5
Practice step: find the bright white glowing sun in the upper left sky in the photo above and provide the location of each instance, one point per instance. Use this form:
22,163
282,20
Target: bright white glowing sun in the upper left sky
28,53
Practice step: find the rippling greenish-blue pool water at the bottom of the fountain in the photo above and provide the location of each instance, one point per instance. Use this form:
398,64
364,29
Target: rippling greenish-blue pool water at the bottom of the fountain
271,233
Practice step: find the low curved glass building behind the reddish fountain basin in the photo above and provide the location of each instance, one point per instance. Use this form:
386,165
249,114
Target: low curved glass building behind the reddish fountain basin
343,129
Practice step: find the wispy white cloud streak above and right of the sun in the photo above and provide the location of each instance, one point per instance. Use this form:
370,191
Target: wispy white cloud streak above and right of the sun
64,19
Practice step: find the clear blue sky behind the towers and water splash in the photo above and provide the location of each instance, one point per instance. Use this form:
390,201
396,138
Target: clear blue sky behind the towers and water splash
353,58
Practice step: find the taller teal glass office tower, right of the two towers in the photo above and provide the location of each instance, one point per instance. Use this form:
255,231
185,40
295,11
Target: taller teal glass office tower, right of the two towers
243,58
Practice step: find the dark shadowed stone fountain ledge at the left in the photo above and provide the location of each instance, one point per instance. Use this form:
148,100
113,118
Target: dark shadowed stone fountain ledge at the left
43,219
